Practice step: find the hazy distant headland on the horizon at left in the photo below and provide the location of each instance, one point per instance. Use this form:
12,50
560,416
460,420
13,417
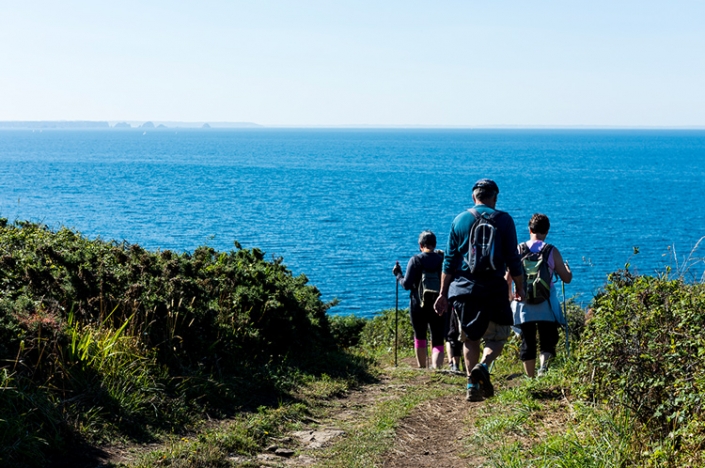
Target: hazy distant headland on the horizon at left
86,124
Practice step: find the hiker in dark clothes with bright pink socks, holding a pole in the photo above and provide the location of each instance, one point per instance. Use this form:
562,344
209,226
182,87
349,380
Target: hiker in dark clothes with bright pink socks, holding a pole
422,279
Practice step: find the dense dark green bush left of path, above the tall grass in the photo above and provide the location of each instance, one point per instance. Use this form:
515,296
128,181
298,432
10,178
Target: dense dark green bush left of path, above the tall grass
202,309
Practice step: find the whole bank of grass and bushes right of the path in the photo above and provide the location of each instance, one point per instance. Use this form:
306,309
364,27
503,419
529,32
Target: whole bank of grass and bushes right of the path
630,395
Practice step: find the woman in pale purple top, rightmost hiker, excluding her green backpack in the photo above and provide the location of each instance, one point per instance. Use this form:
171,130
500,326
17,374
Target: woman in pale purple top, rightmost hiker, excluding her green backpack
545,316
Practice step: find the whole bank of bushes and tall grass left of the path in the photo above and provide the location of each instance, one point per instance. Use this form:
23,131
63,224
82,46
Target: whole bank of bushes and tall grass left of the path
105,340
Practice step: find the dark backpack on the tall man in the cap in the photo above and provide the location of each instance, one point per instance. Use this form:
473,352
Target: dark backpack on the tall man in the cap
481,251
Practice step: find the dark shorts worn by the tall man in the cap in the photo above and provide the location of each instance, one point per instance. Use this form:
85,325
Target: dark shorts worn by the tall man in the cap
476,312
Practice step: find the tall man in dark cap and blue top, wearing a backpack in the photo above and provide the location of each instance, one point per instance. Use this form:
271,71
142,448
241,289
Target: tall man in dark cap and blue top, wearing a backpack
481,246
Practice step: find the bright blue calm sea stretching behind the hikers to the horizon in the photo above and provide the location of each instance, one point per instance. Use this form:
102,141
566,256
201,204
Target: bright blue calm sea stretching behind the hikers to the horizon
341,206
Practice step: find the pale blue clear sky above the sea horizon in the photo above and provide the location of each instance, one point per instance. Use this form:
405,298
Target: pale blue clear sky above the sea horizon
338,63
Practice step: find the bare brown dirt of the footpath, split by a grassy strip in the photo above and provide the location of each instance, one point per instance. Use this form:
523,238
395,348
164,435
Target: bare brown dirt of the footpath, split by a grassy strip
434,434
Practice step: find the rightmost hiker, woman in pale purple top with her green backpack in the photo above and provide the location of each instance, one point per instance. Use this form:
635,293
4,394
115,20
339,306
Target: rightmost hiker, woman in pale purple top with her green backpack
540,311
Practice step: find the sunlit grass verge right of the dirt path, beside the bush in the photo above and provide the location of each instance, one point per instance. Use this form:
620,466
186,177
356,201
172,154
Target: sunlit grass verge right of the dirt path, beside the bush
536,424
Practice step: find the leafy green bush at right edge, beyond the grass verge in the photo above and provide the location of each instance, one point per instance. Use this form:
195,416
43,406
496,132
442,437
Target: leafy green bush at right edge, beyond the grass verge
642,351
